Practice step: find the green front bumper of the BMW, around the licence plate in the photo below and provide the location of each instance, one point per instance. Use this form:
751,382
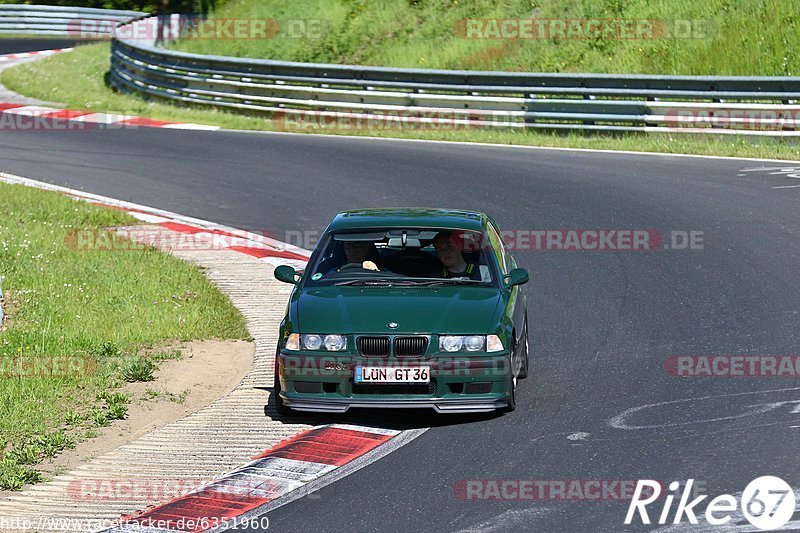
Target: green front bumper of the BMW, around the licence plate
474,384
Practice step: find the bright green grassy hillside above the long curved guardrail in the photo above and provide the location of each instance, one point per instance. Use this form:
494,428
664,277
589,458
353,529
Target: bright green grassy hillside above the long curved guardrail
712,37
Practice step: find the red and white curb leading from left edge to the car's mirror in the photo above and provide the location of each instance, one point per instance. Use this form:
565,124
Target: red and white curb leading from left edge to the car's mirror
199,234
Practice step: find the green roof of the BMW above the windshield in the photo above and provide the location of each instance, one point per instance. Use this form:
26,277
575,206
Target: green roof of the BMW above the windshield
408,216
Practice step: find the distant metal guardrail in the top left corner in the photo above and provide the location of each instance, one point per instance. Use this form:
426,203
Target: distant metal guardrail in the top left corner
80,22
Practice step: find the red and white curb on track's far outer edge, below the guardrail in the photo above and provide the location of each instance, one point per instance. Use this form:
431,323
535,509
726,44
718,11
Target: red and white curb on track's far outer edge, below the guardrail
17,116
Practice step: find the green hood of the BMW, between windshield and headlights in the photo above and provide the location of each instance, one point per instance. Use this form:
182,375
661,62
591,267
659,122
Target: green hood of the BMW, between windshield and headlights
415,310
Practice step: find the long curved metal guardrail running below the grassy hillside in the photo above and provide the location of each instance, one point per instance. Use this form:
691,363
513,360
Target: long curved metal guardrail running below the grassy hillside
319,96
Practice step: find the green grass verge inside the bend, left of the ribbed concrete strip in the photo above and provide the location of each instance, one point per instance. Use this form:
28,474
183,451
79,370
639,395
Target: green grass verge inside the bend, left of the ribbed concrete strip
78,320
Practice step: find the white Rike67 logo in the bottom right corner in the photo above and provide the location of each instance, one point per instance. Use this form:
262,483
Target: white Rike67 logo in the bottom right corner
768,503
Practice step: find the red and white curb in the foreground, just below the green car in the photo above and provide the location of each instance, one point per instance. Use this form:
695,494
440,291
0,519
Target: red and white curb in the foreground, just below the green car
231,501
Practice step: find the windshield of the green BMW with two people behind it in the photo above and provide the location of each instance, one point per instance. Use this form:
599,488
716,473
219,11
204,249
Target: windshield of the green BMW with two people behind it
404,256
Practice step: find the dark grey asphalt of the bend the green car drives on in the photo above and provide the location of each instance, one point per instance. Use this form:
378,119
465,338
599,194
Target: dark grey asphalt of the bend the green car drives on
602,324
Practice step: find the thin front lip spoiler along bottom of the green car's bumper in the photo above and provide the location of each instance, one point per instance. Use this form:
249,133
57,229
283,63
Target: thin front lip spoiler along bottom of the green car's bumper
440,406
